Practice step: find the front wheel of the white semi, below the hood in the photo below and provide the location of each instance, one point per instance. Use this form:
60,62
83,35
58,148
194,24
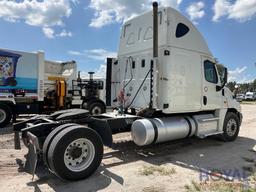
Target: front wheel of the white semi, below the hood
231,127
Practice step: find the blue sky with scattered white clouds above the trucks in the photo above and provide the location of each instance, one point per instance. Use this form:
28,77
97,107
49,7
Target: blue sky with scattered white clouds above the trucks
88,31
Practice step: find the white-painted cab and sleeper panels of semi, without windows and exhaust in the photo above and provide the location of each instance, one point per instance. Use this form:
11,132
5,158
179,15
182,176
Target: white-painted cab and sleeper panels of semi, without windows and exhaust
181,77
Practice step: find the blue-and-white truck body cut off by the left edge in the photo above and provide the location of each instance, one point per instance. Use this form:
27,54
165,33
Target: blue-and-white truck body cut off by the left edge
22,82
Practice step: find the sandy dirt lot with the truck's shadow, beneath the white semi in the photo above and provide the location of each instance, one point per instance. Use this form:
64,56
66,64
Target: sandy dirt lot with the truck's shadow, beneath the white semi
173,166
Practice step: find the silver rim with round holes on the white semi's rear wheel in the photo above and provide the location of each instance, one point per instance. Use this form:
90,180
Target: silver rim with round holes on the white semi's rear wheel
79,155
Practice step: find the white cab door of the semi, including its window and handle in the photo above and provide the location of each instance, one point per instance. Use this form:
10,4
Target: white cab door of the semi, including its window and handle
211,97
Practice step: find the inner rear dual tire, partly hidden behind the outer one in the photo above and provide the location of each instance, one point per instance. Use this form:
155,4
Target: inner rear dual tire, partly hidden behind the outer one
49,139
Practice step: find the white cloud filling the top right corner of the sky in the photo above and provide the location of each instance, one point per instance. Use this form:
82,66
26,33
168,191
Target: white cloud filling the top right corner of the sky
240,10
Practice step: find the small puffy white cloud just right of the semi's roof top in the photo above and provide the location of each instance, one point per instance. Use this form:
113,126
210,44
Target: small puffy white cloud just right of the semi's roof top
195,10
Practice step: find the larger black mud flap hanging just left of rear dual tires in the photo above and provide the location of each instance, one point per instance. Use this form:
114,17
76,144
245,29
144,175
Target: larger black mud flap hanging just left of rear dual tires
31,162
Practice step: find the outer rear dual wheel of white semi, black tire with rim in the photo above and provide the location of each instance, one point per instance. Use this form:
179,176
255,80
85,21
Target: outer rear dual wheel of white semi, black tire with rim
75,153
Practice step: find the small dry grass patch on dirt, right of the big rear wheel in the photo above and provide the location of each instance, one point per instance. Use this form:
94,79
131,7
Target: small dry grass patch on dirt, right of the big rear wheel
161,170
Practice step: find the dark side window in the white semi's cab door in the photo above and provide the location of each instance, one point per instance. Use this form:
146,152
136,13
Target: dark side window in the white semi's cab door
210,72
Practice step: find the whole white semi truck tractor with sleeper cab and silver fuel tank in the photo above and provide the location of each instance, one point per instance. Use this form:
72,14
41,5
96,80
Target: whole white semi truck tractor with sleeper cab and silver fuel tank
164,85
